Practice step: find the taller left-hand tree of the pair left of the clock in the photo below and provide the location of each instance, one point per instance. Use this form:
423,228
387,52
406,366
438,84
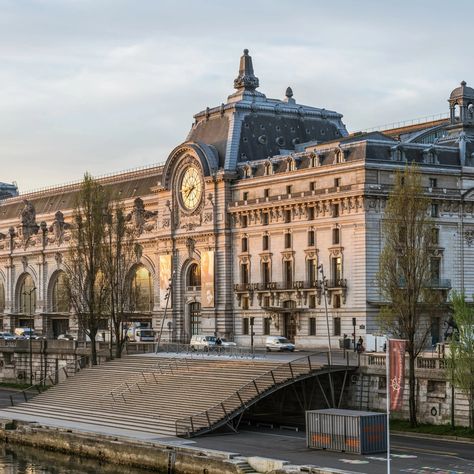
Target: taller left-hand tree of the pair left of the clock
87,287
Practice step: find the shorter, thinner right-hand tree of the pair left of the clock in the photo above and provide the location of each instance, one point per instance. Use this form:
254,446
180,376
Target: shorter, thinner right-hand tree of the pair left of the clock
119,256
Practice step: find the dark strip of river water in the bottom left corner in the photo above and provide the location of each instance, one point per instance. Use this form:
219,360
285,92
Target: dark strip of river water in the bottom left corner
15,459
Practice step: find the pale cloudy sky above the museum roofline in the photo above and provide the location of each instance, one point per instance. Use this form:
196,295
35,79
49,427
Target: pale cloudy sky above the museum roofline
110,85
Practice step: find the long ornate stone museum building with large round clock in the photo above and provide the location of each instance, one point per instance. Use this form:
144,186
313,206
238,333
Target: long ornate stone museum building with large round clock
266,208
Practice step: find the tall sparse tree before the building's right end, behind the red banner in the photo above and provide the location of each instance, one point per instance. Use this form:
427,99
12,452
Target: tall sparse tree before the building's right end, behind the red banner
404,276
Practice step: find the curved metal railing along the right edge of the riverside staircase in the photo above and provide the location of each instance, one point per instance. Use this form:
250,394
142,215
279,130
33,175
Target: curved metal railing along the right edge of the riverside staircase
248,394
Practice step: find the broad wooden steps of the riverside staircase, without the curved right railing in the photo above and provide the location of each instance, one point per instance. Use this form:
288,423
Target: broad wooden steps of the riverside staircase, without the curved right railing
141,393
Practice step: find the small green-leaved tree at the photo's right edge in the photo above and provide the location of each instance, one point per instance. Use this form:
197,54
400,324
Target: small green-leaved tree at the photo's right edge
461,349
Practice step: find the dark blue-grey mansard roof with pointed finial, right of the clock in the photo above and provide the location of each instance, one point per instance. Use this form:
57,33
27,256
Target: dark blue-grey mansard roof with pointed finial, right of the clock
251,126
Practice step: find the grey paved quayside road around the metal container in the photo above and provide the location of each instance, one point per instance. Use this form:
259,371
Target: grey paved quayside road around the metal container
409,455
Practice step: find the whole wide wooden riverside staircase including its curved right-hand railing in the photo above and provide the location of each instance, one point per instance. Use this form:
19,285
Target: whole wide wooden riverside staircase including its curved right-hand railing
164,396
